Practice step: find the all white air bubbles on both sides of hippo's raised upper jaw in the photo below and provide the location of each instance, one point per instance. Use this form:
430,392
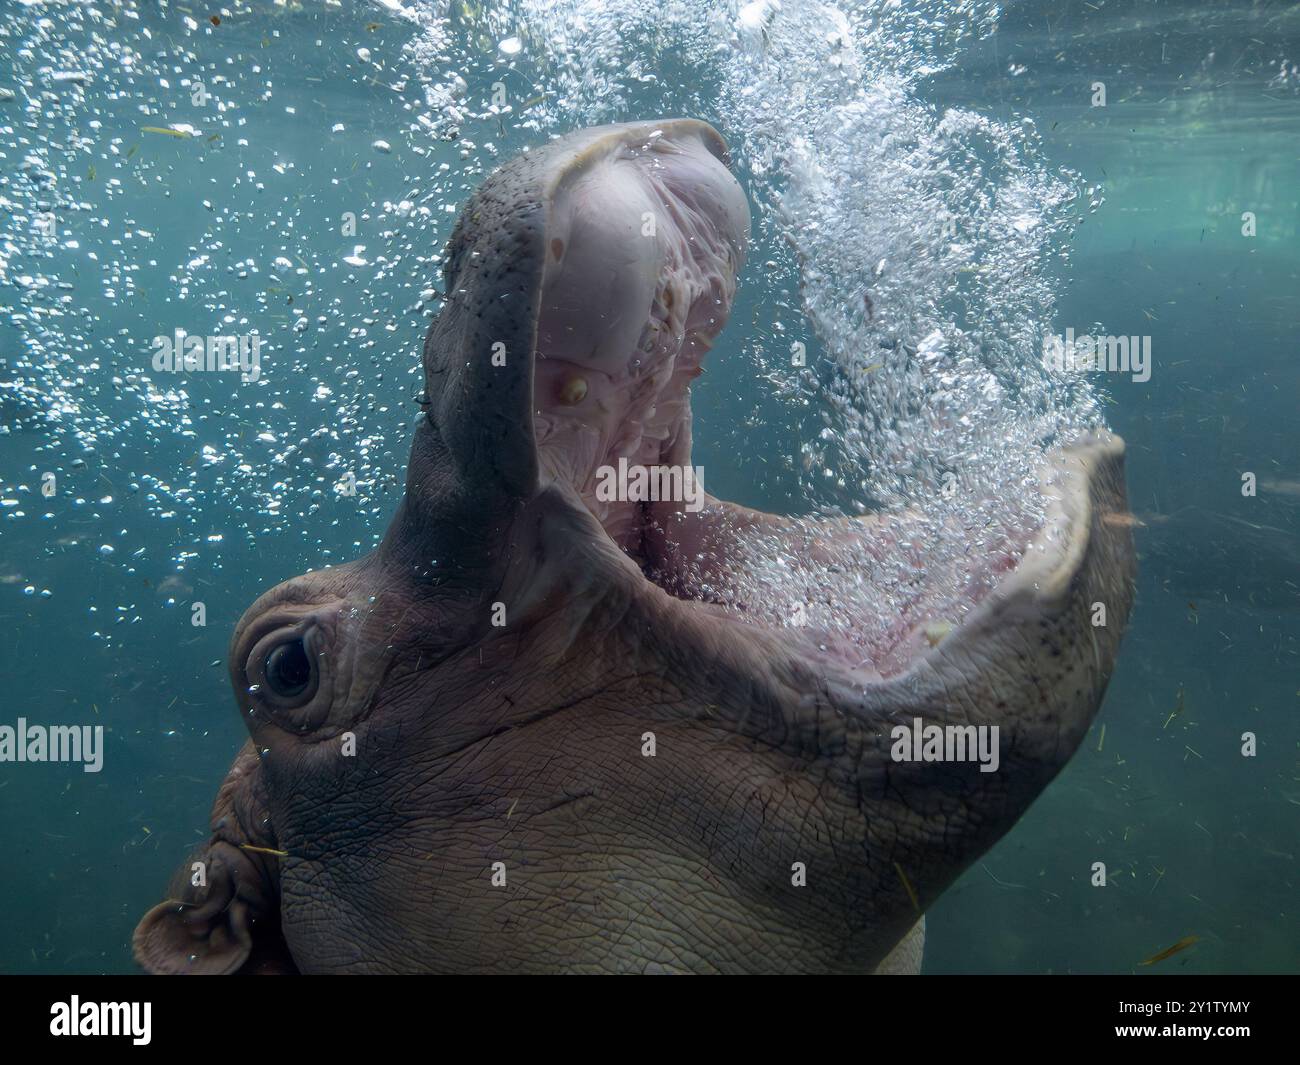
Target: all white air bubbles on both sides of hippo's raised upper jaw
163,172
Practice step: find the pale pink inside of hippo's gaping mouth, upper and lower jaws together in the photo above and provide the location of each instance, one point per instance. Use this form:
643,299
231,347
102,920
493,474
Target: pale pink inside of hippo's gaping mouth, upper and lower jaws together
644,239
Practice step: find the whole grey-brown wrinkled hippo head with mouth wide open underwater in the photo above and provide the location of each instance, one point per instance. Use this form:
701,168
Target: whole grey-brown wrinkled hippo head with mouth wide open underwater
448,768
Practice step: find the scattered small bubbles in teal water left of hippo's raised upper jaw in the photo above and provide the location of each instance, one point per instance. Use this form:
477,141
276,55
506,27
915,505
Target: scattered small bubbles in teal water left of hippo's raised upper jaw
164,174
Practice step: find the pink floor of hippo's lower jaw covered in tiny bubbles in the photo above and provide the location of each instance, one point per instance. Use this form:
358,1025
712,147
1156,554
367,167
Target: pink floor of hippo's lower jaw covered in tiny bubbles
872,594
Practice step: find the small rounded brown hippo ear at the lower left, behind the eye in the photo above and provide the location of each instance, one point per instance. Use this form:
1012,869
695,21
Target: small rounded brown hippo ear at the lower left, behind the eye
210,932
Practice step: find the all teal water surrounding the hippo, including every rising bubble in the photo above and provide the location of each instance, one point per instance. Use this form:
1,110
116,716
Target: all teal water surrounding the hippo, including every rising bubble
937,188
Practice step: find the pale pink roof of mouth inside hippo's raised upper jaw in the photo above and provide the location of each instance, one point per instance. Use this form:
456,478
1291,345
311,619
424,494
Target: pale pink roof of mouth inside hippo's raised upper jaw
642,257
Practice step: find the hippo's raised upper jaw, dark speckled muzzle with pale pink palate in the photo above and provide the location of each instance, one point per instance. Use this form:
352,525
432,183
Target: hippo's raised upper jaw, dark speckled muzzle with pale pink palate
586,283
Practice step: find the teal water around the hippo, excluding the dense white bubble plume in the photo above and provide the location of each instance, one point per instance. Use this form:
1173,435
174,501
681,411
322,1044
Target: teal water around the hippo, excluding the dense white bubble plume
1202,124
